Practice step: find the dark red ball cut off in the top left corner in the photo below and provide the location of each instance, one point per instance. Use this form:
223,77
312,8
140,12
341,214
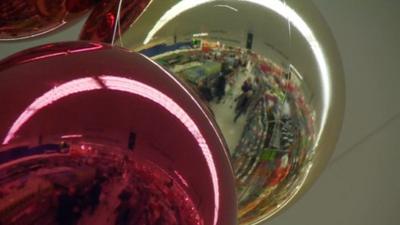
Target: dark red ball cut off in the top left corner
28,18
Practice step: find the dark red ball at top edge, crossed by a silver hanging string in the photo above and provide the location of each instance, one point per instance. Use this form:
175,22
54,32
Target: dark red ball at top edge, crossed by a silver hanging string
101,23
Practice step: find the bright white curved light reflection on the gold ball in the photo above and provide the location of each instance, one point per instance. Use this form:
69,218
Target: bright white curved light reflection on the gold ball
286,12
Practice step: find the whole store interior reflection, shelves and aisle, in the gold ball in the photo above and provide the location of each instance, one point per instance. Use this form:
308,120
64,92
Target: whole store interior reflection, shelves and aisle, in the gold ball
261,109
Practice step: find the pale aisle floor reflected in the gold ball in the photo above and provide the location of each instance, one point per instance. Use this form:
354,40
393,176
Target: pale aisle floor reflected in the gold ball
225,114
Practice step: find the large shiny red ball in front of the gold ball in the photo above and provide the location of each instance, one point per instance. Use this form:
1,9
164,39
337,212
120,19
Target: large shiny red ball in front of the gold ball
86,143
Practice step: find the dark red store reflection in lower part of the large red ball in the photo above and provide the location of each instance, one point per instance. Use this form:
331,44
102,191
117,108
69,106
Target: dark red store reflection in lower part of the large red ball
78,182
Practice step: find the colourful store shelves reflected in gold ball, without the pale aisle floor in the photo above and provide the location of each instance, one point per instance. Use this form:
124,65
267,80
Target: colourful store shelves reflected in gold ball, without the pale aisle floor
275,142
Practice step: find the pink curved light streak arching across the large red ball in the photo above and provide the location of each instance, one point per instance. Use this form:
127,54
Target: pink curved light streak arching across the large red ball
129,86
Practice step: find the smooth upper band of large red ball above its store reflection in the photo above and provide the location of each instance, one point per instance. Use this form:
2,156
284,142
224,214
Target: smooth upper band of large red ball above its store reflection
102,93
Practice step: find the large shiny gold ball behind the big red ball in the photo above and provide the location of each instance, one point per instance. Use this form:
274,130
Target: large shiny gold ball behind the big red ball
270,73
